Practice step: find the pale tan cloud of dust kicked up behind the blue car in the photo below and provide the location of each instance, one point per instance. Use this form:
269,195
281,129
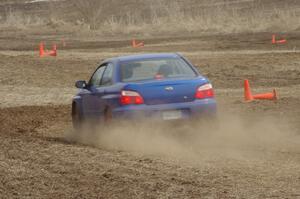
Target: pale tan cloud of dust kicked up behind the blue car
234,137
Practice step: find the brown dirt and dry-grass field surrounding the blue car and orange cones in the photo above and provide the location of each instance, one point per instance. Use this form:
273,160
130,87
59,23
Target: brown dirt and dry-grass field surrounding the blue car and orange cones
252,152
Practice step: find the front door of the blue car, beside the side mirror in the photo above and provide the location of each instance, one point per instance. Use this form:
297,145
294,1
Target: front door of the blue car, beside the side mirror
91,97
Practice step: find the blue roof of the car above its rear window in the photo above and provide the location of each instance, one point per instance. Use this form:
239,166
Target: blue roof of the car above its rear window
144,56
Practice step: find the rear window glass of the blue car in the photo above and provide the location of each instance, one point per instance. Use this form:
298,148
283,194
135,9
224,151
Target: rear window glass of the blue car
155,69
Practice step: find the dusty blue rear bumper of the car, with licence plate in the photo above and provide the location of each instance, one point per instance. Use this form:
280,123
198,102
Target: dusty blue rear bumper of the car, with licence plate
186,110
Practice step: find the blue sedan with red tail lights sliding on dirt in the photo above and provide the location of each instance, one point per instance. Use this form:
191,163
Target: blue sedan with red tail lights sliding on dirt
163,86
